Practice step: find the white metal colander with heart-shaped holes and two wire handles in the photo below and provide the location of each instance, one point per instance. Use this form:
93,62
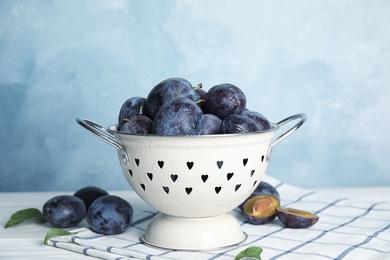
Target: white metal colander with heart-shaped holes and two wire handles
193,181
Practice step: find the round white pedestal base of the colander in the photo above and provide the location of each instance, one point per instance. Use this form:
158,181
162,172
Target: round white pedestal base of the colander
179,233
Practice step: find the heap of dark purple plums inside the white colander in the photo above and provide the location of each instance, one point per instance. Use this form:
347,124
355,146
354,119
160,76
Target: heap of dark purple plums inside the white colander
175,107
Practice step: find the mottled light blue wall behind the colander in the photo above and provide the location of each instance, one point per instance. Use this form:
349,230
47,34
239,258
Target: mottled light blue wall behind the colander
65,59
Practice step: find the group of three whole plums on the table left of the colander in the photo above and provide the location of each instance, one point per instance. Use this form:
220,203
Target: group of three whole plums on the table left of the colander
105,214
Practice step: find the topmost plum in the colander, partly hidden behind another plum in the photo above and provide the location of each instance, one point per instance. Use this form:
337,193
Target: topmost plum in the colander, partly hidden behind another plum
167,91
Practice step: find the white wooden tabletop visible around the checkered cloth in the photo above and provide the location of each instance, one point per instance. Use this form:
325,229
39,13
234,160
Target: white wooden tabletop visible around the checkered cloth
25,241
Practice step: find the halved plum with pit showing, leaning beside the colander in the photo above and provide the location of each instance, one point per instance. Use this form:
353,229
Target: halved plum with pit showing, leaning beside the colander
260,209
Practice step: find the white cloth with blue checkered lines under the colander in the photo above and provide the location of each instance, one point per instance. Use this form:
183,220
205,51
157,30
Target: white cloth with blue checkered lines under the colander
347,229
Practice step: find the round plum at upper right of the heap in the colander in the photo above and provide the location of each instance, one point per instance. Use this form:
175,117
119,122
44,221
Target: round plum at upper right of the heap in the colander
225,99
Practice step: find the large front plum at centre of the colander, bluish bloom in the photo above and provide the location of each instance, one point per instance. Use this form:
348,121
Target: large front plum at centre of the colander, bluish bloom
181,116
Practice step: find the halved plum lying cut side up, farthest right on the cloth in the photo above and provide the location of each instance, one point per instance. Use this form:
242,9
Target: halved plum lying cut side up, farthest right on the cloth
295,218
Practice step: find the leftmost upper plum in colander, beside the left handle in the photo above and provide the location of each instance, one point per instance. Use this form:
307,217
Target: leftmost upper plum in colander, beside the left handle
131,107
